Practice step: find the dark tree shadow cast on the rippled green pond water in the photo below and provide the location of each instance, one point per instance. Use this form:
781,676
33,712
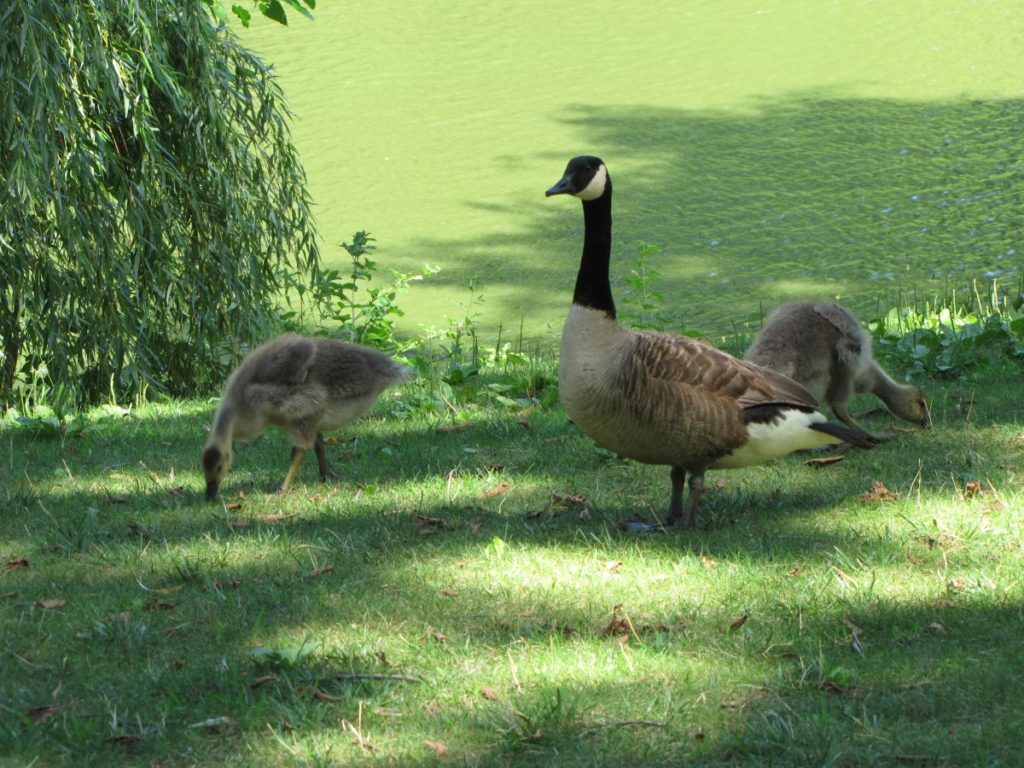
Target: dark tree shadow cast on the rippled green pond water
807,197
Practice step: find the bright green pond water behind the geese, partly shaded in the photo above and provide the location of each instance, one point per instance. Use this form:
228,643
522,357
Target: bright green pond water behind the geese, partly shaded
774,150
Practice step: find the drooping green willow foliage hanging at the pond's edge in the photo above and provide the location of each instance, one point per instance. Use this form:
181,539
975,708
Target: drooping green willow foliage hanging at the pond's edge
151,199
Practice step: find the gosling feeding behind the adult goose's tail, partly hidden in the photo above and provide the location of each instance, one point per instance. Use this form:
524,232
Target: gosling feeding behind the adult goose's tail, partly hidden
823,347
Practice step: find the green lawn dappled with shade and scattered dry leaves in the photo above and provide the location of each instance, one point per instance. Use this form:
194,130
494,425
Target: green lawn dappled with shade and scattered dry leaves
482,575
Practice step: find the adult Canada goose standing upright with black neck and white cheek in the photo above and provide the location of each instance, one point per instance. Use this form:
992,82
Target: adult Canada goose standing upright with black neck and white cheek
662,399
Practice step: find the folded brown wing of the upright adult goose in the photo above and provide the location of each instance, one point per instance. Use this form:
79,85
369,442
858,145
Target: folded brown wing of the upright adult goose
687,362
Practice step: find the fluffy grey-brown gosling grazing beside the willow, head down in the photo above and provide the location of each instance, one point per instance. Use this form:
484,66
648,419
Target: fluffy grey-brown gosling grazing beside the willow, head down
305,387
